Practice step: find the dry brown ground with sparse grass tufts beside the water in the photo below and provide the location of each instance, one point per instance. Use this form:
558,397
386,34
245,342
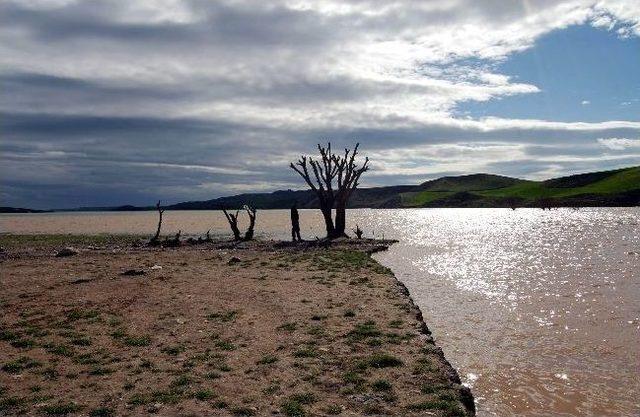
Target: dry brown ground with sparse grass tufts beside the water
277,331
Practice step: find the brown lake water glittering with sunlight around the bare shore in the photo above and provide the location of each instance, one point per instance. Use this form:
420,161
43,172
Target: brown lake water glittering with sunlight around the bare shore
538,311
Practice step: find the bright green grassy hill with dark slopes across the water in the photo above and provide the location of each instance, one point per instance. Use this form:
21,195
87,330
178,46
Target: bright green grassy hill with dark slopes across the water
617,186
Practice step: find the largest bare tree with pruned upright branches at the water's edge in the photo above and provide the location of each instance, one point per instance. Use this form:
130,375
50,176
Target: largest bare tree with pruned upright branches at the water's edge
344,171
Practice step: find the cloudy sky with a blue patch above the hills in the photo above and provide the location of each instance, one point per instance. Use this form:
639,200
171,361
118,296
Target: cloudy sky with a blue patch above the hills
117,102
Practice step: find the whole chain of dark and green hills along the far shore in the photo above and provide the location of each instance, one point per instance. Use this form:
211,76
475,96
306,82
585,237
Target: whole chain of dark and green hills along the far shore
620,187
